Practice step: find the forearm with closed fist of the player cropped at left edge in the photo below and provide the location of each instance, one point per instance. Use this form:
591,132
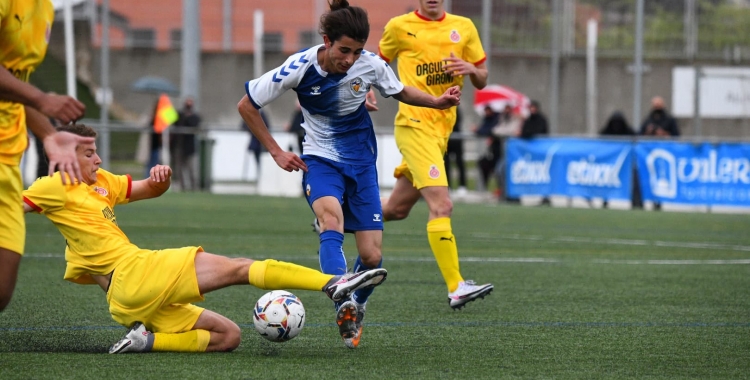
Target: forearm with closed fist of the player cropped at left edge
60,107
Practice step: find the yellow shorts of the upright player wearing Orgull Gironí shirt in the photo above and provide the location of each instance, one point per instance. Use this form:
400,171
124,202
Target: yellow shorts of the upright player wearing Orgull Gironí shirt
422,161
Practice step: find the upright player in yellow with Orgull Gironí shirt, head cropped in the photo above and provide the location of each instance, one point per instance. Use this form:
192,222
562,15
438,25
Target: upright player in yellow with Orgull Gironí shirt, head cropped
435,50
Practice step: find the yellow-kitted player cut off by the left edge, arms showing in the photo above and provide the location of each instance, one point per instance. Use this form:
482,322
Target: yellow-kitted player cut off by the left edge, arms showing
25,27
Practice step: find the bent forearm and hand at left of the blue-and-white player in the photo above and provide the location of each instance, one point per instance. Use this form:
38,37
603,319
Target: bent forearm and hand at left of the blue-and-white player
286,160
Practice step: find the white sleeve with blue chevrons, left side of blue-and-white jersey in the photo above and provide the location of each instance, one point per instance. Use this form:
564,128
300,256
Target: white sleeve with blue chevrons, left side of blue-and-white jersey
272,84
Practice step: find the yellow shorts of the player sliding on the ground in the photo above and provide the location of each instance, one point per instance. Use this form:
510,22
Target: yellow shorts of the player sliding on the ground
156,288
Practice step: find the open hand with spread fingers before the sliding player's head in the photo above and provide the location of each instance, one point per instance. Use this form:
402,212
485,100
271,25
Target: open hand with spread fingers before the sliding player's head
61,151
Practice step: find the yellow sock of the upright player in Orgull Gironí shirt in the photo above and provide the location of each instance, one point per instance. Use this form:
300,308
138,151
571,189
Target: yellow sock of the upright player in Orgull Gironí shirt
443,245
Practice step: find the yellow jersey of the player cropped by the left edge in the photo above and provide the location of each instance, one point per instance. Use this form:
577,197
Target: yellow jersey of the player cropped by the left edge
25,27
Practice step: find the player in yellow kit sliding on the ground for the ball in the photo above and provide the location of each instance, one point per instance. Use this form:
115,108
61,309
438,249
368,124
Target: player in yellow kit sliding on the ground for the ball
151,292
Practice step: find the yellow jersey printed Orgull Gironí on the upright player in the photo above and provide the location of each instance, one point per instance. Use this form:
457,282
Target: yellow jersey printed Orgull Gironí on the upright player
421,46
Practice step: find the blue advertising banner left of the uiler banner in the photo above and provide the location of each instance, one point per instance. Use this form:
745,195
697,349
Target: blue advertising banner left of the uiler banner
569,167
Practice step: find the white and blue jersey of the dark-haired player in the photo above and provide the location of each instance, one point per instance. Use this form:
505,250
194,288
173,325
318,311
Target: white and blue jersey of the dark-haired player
337,124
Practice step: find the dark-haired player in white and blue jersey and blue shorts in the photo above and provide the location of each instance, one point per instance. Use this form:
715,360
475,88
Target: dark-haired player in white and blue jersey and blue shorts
340,179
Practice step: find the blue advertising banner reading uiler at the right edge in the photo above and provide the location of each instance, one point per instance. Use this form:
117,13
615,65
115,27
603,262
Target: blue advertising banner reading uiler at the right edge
706,174
